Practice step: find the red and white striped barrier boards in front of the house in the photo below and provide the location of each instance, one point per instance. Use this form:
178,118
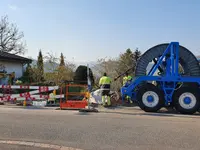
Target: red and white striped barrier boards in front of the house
35,94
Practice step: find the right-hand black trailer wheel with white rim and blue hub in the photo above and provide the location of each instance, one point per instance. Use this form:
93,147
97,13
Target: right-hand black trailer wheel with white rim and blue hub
186,100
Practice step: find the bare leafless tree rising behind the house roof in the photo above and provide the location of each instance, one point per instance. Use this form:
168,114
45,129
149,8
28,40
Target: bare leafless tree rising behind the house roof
10,38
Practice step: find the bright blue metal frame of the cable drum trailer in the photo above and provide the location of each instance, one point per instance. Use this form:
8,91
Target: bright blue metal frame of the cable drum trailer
168,80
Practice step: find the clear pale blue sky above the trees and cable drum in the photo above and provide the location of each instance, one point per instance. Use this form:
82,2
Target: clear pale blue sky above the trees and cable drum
87,30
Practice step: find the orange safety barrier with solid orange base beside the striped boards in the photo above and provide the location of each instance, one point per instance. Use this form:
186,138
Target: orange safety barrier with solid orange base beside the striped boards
75,97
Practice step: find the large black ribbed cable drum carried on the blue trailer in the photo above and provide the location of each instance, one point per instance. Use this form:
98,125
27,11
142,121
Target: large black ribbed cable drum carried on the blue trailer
187,60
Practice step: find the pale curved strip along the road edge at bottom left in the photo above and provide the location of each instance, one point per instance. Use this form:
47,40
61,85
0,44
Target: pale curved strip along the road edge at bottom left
41,145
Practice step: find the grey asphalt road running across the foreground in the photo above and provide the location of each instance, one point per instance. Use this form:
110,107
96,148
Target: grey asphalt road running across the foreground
108,130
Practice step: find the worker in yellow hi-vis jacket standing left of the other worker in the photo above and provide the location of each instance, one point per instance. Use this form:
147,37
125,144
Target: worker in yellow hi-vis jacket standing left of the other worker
104,83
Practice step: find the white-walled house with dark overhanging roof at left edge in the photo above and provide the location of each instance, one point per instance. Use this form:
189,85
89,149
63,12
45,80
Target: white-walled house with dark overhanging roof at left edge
10,63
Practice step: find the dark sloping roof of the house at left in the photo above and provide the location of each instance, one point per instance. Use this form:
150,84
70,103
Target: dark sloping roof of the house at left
8,56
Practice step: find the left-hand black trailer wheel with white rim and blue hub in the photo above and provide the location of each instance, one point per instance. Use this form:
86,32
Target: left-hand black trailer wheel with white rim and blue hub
150,98
